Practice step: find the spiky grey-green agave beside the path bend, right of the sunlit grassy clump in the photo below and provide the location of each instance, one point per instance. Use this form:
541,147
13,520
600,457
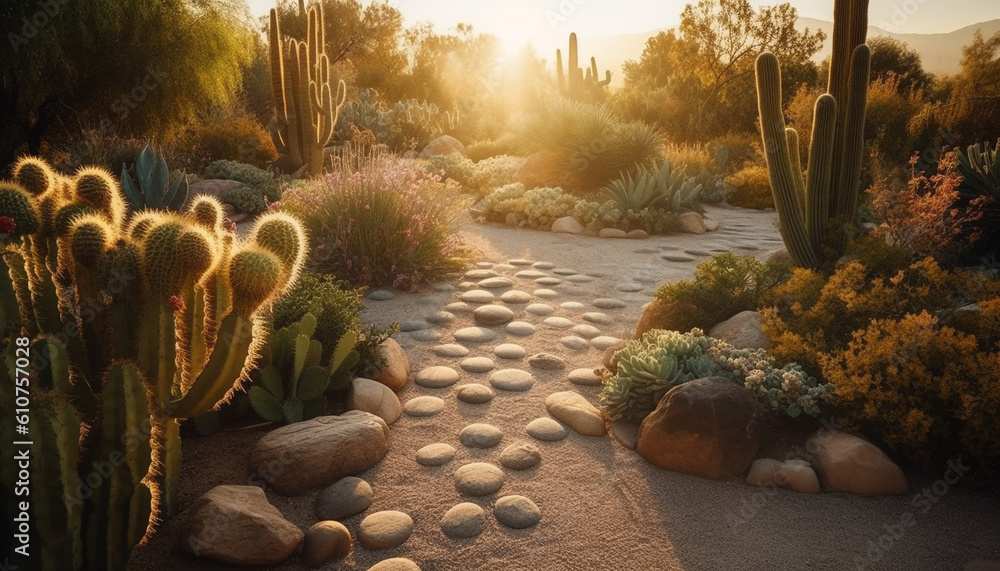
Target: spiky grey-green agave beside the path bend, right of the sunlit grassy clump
664,187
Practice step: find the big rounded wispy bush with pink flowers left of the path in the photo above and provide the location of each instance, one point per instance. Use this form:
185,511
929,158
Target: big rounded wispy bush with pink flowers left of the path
380,220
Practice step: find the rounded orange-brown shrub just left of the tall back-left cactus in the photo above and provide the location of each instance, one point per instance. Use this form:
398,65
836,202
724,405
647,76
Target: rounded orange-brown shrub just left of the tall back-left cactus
239,139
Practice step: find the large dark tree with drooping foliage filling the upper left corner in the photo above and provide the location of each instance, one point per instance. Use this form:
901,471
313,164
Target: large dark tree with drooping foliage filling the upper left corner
130,66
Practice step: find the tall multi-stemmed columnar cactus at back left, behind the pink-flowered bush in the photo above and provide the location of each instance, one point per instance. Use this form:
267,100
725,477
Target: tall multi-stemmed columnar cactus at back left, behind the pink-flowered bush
305,107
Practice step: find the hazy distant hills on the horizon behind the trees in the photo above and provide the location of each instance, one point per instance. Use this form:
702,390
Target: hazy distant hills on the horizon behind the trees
941,53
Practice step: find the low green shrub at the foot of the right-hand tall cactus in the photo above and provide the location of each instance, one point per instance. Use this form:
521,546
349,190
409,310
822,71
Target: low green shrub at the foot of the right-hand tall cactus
723,286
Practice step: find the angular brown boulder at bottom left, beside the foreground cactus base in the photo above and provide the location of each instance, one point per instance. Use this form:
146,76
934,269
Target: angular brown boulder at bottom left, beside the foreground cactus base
236,525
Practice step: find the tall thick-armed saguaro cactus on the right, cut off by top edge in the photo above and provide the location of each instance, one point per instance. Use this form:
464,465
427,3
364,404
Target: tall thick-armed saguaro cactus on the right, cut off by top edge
815,216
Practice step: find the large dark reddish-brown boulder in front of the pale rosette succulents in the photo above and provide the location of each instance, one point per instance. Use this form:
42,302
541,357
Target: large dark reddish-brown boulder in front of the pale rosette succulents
706,427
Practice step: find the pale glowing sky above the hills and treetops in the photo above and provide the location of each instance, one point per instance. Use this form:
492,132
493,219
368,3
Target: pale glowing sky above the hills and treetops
547,23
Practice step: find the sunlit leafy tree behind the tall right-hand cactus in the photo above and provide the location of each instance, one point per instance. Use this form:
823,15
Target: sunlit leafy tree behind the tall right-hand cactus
707,63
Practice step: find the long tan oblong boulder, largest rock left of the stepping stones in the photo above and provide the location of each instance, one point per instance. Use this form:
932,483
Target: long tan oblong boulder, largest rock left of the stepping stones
299,457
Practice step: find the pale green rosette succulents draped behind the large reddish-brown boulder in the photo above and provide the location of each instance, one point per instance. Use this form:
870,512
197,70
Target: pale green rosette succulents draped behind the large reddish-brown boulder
650,366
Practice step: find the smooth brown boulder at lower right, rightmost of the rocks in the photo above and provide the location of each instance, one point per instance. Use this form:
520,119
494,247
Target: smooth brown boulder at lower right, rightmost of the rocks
846,463
